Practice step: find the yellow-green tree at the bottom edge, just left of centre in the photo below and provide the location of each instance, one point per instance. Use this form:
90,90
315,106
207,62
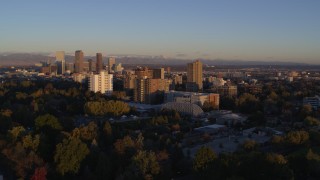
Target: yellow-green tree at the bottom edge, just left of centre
147,163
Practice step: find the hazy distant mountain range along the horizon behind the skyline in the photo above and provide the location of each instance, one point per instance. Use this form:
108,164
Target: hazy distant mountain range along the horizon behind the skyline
7,59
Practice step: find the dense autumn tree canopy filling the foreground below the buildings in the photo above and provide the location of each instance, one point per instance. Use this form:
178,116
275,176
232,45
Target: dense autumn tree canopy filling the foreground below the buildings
40,139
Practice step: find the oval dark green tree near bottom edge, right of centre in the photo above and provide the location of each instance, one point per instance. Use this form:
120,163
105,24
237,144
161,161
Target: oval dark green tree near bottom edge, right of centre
203,159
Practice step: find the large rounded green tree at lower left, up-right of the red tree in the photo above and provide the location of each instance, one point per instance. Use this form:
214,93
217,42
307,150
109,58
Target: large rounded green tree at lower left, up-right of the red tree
69,155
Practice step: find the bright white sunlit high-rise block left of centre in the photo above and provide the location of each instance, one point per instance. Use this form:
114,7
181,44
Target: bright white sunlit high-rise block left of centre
101,82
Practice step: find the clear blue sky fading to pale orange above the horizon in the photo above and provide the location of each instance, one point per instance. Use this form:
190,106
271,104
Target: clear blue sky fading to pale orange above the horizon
259,30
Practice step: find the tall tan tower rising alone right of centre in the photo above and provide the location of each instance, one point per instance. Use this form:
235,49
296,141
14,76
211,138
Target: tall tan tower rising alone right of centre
194,76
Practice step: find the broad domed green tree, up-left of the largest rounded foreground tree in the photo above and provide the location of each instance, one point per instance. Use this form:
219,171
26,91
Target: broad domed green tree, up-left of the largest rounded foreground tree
48,121
